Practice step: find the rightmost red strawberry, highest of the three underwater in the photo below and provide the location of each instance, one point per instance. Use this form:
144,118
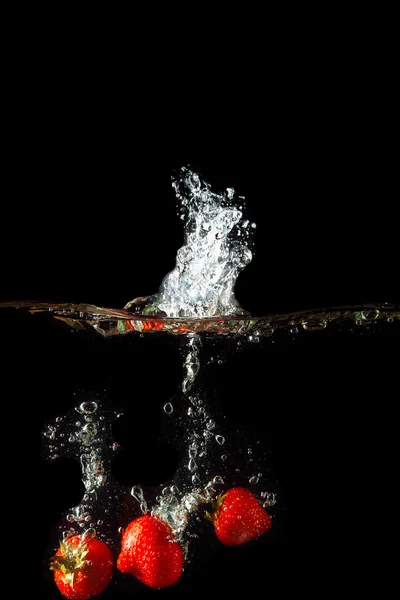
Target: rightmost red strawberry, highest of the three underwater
239,518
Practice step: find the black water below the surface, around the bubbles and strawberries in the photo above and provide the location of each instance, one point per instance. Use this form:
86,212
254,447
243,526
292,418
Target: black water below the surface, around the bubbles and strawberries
317,408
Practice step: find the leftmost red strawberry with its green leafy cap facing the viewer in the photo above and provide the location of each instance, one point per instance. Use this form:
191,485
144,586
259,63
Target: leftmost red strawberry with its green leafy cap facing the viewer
82,567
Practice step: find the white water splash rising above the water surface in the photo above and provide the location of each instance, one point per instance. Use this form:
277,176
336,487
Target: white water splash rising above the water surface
216,249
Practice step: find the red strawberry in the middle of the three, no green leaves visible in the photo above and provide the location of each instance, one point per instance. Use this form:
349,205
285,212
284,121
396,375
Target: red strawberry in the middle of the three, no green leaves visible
150,552
